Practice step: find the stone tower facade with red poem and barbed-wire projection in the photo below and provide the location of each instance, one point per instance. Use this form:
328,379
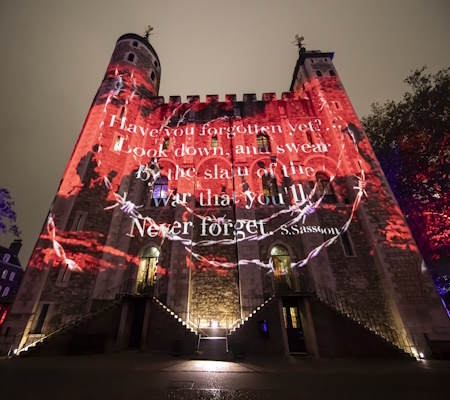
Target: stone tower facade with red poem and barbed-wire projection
268,220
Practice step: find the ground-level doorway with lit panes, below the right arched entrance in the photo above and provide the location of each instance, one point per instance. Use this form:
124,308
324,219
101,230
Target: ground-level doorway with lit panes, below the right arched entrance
291,316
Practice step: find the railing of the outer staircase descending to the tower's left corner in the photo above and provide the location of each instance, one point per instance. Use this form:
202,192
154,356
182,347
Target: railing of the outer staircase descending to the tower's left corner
38,331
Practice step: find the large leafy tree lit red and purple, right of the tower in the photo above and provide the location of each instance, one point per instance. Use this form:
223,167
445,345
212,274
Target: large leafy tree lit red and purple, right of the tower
411,139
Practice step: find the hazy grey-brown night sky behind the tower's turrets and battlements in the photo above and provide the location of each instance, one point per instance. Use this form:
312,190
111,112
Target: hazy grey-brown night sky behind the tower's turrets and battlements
54,55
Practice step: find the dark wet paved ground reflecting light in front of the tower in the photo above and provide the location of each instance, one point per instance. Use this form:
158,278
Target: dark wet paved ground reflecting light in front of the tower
147,376
